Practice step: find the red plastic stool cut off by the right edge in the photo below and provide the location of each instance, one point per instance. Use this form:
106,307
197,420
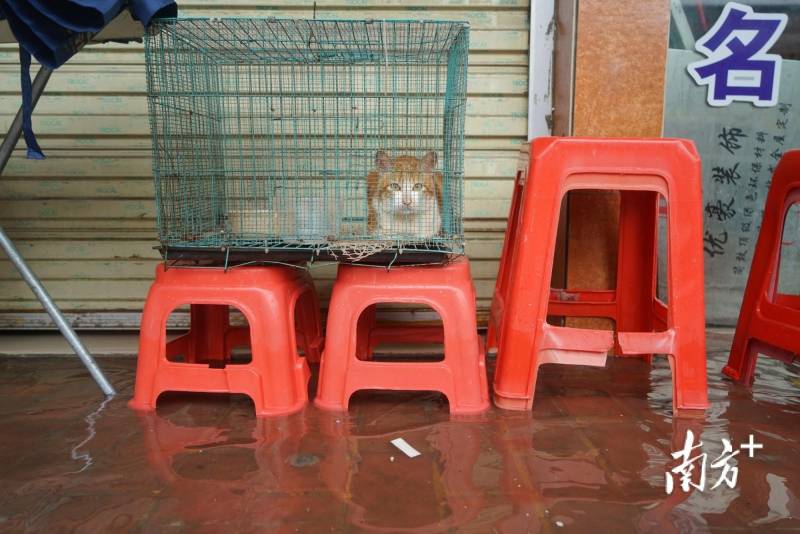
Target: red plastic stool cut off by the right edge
769,321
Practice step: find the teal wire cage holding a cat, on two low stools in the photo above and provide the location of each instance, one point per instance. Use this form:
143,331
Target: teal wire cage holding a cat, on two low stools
336,137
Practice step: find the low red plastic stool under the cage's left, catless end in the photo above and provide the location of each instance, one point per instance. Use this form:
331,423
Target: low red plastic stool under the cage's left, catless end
276,378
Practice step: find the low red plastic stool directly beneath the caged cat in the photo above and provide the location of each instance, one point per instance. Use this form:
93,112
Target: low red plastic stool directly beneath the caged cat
448,289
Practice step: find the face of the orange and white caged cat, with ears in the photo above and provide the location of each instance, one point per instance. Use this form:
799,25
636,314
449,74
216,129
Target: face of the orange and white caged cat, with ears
406,185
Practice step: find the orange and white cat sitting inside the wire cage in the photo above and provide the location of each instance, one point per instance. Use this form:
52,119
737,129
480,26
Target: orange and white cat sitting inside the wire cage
405,196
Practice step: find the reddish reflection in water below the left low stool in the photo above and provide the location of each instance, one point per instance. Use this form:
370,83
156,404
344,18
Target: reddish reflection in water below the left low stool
234,470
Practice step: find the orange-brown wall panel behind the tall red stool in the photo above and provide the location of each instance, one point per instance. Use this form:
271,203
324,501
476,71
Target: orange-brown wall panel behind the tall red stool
620,61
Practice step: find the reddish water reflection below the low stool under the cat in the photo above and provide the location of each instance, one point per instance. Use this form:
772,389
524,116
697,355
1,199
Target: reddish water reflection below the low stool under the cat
380,486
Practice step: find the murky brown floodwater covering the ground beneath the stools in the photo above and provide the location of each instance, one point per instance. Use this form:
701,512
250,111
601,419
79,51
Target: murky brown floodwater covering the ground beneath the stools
591,457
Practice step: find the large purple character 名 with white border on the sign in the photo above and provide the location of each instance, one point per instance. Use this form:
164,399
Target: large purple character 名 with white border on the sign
738,66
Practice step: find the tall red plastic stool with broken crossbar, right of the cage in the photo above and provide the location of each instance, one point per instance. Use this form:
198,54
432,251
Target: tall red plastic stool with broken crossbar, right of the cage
642,169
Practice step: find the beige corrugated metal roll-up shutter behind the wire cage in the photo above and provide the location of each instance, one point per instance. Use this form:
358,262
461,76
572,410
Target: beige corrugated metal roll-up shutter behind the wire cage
84,217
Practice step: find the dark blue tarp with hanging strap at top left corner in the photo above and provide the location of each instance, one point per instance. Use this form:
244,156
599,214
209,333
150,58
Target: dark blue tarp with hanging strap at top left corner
52,31
